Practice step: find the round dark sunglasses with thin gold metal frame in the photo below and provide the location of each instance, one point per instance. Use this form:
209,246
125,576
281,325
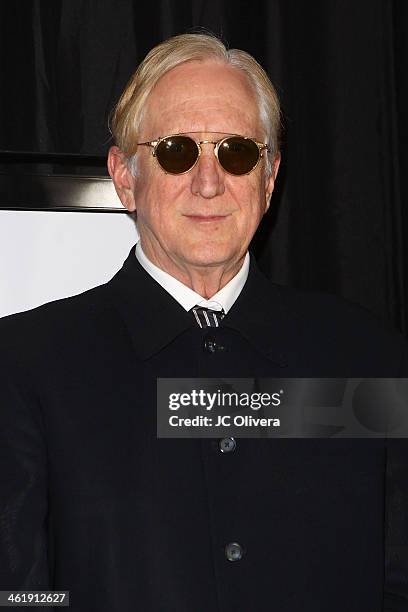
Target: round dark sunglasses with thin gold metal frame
178,153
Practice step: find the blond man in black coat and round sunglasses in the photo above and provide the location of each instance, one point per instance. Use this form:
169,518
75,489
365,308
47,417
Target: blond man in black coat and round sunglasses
91,500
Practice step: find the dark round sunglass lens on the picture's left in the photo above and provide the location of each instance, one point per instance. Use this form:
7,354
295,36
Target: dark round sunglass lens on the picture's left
177,154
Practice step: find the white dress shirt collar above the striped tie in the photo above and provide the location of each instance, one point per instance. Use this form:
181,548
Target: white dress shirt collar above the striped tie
186,297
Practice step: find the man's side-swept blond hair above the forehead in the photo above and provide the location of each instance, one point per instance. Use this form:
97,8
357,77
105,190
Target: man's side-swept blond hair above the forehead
127,116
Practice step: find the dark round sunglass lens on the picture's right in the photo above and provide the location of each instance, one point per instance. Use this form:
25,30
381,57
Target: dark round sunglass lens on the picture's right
238,155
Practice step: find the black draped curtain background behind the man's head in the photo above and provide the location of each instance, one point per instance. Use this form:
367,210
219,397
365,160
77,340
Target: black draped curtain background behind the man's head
339,215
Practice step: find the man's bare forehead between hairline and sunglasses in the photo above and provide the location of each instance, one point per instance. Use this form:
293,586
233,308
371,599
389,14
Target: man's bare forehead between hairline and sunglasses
202,97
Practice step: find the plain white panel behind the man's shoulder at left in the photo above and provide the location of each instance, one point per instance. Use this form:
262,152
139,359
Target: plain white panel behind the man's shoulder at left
47,255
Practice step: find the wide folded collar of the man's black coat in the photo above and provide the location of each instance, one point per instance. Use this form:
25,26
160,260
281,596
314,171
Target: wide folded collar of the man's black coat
154,318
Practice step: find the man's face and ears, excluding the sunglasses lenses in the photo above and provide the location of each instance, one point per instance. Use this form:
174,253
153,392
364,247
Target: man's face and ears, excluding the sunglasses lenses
204,217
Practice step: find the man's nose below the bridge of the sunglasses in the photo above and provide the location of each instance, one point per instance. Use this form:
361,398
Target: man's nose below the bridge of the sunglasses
208,176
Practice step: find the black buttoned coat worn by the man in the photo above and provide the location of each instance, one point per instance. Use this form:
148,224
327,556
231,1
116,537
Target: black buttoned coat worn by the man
92,502
